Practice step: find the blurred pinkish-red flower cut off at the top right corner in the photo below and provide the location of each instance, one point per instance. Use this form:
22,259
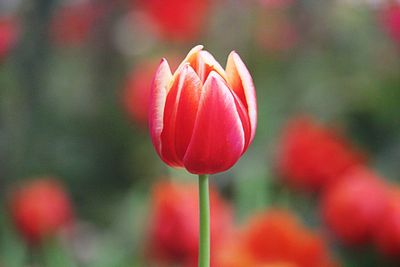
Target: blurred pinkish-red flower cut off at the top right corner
390,17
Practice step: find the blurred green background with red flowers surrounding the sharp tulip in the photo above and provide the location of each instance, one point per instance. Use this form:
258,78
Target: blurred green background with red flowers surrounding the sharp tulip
80,182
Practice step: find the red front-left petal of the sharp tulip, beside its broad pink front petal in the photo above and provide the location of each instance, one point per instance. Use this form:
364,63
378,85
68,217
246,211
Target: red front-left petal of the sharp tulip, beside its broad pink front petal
179,115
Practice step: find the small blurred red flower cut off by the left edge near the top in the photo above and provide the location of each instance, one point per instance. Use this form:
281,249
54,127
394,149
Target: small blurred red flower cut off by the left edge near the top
9,32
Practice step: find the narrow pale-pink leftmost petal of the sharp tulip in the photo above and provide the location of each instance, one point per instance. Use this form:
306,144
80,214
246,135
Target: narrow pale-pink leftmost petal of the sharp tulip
158,96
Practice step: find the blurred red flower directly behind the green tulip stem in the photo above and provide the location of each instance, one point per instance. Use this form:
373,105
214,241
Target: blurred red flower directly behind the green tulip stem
174,225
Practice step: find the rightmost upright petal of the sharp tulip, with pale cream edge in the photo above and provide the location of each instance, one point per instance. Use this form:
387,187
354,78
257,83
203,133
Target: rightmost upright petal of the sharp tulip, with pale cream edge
242,84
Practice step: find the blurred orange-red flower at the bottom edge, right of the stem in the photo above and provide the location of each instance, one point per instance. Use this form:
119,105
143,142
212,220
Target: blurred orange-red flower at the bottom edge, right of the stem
275,239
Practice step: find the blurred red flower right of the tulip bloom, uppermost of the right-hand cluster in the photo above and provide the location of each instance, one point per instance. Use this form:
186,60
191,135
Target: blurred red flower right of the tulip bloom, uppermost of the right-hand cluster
312,157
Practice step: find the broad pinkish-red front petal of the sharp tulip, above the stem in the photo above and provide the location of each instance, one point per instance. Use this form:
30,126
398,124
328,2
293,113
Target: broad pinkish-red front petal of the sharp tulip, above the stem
218,138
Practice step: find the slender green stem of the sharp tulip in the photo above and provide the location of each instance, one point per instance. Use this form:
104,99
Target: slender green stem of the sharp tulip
204,203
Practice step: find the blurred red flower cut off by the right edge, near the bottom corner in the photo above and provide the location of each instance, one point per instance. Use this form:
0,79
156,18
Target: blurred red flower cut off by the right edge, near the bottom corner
387,235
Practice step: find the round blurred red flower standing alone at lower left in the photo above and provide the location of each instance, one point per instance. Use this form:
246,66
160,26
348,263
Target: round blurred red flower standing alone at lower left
40,209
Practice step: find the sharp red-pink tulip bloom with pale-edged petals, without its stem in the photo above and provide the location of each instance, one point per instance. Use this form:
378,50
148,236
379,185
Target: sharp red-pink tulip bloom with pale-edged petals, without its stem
202,117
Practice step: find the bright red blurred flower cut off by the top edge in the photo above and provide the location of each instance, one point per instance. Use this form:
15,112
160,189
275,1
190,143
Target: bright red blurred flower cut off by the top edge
180,20
